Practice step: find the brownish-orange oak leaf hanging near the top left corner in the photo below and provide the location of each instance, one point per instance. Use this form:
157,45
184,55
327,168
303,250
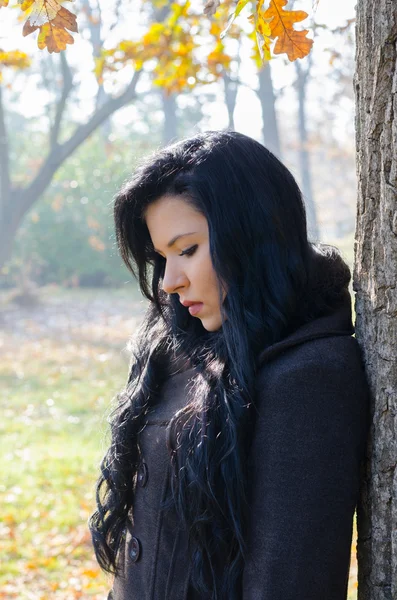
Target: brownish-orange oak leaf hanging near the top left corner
53,34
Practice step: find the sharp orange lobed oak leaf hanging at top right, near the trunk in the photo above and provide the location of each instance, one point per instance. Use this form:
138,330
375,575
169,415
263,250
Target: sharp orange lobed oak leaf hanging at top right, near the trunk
294,43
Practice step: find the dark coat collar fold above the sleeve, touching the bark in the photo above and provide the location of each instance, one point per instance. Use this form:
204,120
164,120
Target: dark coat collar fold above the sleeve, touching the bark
339,322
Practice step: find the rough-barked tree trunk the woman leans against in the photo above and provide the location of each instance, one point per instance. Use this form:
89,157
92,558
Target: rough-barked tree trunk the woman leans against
374,280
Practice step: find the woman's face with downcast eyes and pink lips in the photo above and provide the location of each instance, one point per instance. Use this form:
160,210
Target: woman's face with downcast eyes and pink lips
180,234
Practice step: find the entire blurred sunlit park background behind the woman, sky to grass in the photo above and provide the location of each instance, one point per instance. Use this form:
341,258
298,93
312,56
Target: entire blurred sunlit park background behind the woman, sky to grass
73,126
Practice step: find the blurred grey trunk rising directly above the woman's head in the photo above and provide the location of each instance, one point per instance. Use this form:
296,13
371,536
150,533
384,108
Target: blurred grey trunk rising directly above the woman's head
270,133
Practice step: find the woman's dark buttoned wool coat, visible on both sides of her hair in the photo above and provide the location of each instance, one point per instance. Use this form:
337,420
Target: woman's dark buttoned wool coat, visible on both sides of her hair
304,472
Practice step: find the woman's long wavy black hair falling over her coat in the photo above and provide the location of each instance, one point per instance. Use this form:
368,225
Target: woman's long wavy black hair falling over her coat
259,248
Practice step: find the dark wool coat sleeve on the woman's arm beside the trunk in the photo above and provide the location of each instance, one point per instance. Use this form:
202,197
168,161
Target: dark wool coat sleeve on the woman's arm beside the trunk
304,473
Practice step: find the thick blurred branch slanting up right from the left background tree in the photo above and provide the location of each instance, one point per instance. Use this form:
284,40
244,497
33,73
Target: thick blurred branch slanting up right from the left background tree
61,152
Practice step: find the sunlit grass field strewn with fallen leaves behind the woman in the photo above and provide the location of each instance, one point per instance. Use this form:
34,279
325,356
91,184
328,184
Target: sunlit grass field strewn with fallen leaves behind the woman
61,364
